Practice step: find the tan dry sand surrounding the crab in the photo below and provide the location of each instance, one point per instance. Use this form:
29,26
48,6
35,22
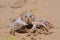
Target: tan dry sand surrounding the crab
49,9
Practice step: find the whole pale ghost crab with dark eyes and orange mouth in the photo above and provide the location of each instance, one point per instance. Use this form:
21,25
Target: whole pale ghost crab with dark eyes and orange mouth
27,19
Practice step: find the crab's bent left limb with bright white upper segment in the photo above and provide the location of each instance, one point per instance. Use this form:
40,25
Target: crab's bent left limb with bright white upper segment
17,24
